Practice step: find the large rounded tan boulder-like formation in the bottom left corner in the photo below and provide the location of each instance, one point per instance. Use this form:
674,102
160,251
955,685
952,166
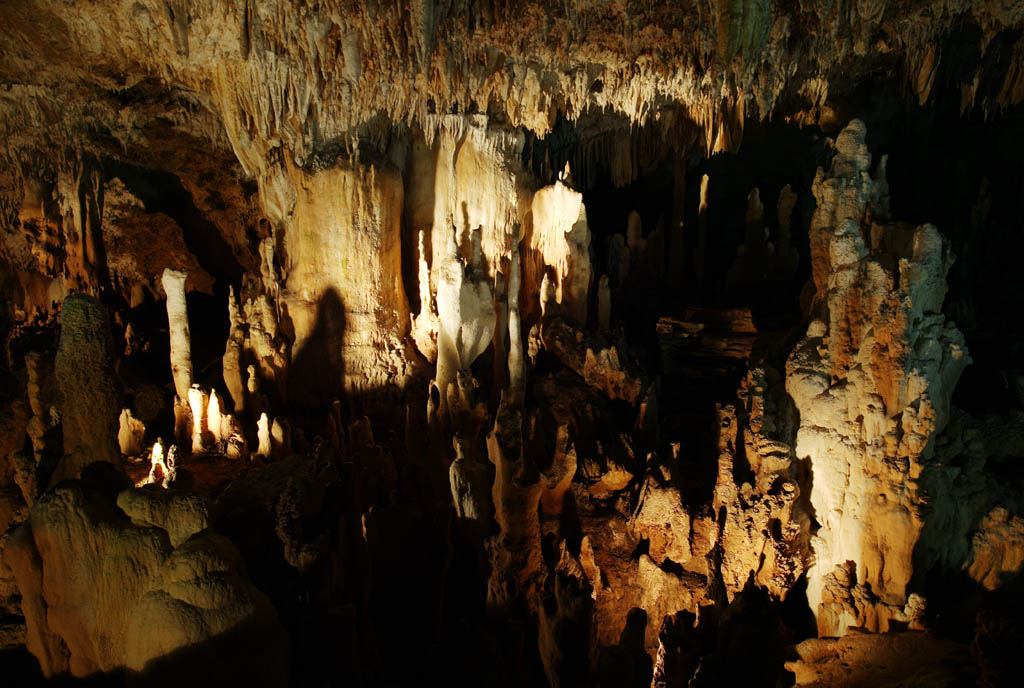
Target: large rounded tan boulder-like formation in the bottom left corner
148,585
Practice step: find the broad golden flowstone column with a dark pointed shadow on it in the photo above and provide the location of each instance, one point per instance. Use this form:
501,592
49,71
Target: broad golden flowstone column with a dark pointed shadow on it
350,326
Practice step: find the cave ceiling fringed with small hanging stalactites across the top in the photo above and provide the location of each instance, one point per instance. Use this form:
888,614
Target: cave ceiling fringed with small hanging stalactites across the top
275,78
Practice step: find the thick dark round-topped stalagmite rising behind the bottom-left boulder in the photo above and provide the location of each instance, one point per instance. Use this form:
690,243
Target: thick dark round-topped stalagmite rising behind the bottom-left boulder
89,389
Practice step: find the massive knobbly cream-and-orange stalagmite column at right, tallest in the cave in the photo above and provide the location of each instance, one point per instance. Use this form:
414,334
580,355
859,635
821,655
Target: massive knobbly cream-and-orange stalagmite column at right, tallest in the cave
872,381
